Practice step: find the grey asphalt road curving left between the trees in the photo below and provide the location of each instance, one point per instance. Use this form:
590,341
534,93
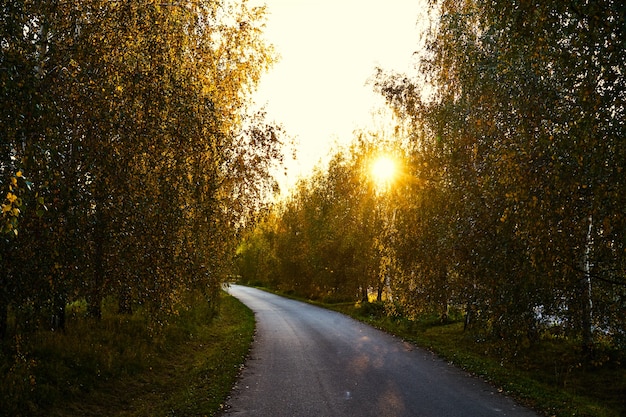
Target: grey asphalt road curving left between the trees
310,362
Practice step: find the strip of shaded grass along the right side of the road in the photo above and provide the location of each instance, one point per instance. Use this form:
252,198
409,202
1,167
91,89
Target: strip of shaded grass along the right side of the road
547,376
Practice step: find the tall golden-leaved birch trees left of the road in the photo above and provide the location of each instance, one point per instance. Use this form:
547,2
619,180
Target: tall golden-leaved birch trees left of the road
129,157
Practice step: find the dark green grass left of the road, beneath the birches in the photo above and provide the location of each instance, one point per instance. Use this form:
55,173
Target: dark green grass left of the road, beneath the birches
121,367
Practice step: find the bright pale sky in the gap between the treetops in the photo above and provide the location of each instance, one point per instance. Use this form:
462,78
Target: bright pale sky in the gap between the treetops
329,49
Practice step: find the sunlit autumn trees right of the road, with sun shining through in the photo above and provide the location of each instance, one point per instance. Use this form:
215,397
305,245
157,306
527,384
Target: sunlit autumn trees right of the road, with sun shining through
507,205
